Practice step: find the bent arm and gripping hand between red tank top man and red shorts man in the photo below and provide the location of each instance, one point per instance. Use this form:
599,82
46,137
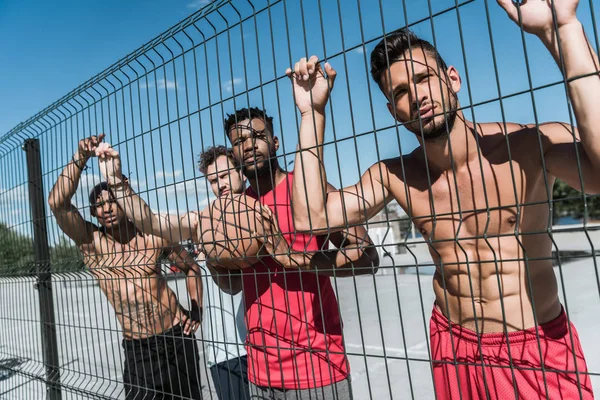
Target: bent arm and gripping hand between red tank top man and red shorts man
315,209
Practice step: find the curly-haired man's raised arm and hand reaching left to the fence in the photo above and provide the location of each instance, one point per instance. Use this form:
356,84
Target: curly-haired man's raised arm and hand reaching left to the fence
172,228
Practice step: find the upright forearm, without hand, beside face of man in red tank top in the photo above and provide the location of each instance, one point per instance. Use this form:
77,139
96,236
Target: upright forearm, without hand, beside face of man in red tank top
309,175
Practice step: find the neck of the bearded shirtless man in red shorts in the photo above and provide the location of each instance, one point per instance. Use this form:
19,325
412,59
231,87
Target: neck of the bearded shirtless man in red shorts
456,150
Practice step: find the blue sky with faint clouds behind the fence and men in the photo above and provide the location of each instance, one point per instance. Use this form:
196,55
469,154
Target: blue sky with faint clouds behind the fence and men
52,48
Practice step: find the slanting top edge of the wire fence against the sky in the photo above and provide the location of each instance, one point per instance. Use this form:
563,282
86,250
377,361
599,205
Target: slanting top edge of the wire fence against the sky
169,33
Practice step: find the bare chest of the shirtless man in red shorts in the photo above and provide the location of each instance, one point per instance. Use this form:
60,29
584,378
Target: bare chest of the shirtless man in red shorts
478,200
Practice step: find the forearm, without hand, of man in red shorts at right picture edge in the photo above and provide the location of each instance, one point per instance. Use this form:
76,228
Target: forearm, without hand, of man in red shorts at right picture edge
579,62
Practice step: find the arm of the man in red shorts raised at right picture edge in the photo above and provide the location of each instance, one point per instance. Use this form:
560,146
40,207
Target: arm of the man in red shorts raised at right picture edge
556,24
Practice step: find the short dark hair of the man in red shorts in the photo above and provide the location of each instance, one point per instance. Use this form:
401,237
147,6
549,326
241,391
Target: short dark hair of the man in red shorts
393,47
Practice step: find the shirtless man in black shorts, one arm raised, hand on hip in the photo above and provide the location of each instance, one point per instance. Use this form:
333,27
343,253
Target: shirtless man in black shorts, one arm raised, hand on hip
161,355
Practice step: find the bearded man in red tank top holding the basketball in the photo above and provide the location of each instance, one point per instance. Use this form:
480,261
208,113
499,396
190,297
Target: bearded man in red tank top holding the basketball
294,343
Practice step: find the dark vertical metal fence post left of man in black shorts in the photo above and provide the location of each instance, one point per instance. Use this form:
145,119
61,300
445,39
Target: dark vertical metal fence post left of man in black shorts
42,260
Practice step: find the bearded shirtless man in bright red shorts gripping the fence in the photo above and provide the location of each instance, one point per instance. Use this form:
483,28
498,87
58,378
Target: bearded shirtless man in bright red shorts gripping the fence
480,195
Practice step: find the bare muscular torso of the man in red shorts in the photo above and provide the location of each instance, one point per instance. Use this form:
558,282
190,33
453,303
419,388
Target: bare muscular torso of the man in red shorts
489,246
